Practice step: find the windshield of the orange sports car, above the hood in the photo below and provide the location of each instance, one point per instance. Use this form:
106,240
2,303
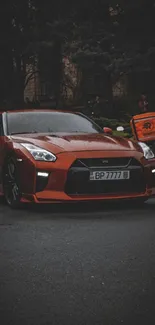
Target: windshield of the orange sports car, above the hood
50,122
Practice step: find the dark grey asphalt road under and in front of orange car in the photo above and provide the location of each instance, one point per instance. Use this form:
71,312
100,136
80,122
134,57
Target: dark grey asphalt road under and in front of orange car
78,265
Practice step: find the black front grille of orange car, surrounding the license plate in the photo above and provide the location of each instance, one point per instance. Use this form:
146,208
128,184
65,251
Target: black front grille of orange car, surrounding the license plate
78,182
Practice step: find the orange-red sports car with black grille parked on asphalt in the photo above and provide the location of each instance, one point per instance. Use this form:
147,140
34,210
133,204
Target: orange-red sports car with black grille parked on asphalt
52,156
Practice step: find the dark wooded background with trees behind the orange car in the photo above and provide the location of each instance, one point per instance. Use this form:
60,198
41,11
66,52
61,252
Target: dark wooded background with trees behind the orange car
66,53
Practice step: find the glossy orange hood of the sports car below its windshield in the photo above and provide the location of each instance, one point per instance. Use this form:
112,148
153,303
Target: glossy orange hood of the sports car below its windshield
83,142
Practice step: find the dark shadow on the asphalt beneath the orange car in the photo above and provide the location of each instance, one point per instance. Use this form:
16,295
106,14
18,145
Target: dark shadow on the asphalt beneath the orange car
92,210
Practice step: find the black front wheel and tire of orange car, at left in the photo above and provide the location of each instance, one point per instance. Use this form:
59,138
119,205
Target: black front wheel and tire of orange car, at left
11,183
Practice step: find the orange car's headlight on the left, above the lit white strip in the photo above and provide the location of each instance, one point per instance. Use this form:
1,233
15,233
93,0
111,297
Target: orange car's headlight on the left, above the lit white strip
39,153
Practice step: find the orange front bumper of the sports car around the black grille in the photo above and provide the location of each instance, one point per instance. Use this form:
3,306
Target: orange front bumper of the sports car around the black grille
62,187
